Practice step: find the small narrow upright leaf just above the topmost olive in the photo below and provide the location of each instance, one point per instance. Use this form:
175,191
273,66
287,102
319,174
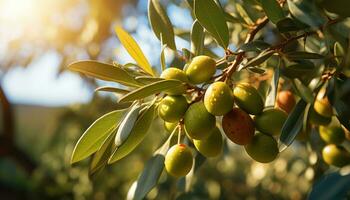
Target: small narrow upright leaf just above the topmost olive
197,38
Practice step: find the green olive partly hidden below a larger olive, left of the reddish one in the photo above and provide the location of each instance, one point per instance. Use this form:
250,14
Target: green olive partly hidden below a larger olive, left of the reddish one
211,146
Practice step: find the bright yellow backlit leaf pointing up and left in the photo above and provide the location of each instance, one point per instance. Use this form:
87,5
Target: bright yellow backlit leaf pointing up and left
134,50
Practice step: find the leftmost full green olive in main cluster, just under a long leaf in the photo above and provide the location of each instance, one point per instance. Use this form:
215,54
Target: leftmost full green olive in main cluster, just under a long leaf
172,108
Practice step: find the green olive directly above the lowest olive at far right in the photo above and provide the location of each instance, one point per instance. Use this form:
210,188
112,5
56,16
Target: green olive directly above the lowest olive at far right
332,134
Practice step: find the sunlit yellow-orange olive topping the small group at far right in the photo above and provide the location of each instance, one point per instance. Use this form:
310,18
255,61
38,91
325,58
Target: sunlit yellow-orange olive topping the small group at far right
322,105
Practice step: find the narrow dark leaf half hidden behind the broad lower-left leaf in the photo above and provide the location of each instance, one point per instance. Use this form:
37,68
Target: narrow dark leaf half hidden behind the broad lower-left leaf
100,158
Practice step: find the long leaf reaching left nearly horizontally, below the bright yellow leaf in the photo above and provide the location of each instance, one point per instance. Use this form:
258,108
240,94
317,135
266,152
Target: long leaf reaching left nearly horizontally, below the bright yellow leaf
104,71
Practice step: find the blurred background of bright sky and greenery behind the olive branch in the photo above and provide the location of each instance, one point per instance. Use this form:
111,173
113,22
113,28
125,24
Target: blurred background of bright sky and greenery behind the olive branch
45,109
